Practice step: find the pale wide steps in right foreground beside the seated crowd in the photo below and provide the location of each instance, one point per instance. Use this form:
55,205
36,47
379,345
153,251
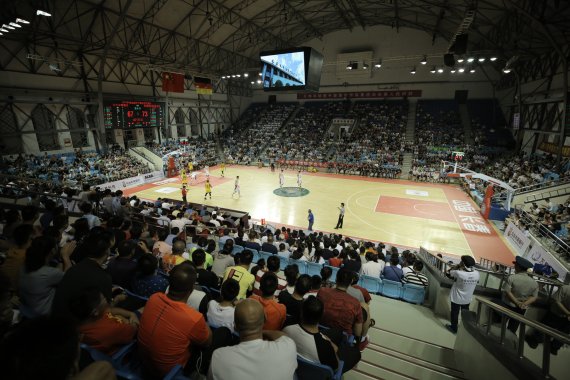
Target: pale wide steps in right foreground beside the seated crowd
408,342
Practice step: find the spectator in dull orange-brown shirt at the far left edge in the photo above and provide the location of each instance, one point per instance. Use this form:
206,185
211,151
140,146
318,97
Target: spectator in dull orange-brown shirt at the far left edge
16,255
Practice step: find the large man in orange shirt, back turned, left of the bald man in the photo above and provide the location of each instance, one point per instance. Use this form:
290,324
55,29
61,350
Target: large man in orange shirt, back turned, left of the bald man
170,331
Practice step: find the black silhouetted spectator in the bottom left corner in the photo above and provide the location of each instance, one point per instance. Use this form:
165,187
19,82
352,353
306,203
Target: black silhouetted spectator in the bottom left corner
47,347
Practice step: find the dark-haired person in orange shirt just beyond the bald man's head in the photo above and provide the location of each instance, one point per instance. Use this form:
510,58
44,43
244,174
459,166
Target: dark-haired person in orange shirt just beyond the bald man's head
275,313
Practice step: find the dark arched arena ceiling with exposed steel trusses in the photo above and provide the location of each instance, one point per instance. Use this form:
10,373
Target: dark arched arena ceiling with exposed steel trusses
214,36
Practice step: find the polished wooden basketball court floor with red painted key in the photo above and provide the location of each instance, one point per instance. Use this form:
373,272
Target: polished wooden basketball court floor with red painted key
438,217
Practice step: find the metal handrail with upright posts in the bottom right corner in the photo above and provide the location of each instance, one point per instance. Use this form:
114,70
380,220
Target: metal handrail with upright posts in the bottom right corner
505,313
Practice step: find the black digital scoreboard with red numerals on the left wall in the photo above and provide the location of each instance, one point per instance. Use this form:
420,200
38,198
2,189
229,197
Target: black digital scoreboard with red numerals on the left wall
133,114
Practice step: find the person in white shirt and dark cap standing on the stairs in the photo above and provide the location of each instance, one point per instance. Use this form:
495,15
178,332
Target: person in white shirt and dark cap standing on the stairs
466,279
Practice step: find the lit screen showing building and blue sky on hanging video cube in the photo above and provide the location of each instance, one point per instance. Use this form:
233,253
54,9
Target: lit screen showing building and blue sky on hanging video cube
283,70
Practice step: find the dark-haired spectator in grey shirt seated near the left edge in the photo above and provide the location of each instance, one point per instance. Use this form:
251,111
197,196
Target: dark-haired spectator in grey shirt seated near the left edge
39,280
